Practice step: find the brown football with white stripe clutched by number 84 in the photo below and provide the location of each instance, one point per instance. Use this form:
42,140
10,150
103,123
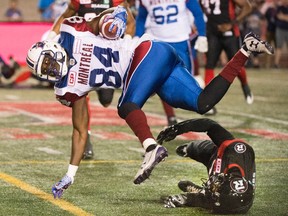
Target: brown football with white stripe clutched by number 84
104,26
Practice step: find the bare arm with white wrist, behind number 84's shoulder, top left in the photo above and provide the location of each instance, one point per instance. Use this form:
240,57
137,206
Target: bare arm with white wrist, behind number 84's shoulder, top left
70,11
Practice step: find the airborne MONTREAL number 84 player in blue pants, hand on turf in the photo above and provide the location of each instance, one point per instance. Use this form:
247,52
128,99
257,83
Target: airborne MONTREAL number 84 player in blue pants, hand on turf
83,61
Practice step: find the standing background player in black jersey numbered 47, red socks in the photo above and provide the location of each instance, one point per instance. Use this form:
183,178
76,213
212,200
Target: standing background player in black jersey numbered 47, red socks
223,34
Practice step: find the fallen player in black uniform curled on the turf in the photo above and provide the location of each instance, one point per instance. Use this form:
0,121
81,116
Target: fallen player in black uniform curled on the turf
230,163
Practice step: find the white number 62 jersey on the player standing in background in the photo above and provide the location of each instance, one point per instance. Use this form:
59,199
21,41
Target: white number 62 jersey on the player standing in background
167,20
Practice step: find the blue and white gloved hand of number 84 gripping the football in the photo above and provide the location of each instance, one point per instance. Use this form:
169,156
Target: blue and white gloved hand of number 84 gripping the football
120,19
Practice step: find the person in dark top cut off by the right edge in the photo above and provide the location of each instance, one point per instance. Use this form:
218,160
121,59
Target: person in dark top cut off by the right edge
281,30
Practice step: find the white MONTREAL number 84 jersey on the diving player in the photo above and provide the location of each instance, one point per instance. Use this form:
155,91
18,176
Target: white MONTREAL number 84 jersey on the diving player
94,62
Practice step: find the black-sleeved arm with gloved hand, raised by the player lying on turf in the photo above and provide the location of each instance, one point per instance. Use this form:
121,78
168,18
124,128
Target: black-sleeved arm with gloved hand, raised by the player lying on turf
216,132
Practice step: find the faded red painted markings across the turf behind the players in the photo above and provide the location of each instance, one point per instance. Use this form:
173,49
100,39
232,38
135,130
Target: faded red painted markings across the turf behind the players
60,114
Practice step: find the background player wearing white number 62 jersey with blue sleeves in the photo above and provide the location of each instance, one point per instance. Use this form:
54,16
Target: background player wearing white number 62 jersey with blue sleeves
169,21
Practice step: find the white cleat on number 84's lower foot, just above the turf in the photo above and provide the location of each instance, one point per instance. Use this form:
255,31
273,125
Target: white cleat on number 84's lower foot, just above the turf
151,159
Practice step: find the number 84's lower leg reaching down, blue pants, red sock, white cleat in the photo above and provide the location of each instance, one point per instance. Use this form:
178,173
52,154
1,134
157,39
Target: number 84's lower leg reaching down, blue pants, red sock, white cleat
151,65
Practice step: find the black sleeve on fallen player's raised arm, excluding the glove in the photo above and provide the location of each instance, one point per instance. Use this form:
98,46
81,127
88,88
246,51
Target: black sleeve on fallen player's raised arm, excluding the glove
216,132
